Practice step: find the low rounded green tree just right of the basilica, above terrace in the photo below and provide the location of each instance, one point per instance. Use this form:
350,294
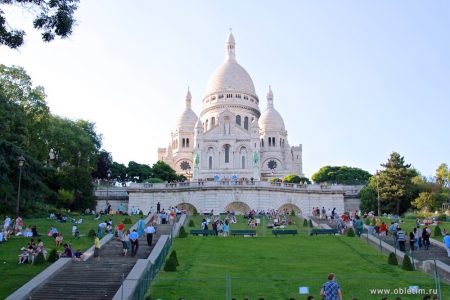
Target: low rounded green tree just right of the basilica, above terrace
341,175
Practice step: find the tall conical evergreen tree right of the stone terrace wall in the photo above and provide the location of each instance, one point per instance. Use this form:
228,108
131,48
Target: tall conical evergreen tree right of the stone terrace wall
395,183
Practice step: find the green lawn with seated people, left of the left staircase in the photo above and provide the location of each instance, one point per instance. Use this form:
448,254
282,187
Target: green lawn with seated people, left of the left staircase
15,275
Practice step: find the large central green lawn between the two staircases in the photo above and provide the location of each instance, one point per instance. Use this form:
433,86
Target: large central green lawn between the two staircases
275,267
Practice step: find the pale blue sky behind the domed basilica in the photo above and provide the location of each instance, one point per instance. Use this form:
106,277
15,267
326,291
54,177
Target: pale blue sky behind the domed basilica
353,80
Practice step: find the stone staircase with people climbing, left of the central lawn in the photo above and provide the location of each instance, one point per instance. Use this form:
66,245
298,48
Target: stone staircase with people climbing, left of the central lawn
94,279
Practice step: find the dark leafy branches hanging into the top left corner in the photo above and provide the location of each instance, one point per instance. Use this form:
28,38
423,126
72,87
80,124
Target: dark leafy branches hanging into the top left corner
52,17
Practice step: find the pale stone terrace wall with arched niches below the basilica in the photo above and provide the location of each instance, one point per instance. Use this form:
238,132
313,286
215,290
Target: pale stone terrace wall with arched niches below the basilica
221,197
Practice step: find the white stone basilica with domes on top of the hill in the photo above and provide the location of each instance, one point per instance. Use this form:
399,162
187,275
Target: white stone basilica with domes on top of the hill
231,138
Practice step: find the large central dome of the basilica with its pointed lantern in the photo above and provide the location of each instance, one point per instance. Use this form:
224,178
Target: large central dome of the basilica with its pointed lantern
230,76
